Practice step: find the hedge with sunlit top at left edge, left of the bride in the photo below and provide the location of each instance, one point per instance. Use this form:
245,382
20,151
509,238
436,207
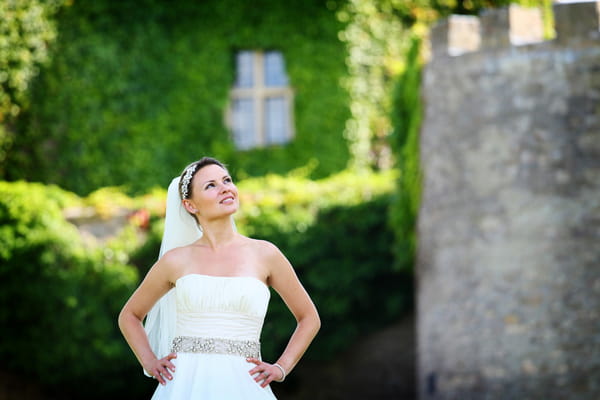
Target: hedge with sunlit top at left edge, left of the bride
59,298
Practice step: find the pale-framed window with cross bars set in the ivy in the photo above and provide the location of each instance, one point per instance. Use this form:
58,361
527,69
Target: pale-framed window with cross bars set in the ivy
261,101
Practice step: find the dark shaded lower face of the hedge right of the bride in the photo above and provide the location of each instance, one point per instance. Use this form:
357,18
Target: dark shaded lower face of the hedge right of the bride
345,261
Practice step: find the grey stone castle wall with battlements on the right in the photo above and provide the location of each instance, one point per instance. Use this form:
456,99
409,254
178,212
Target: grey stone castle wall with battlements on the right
509,250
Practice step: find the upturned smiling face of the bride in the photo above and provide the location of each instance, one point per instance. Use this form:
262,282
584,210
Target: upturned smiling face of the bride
214,195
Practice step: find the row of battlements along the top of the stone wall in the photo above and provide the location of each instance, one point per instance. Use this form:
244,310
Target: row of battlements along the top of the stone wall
574,22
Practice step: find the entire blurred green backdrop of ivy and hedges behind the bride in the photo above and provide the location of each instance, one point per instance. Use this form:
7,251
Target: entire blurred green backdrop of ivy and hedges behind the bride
109,99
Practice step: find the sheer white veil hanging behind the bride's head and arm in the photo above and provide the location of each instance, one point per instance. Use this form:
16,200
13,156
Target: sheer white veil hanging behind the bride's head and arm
180,230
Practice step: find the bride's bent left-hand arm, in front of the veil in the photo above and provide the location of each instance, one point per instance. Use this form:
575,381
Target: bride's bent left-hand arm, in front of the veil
153,287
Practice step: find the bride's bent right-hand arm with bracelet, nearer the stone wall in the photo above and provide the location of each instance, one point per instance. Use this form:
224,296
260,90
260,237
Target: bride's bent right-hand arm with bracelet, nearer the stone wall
284,280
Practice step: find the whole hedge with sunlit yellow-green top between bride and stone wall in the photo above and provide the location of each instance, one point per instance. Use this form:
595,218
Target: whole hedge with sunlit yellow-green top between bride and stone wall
335,232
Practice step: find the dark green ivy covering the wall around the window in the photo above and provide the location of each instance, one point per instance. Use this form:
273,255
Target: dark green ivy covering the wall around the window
137,89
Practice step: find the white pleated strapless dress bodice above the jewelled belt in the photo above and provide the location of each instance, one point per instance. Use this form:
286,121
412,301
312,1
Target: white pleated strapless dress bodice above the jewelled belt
221,307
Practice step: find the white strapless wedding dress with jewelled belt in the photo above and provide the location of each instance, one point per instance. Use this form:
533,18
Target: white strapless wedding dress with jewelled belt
219,320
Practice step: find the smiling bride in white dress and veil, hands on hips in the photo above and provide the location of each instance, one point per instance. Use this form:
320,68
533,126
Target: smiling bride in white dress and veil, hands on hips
213,316
